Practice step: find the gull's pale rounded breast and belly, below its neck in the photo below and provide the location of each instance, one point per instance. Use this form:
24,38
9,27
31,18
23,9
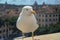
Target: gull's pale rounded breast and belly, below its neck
27,23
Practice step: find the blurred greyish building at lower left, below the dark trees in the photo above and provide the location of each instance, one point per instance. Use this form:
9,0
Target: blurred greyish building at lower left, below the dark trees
6,31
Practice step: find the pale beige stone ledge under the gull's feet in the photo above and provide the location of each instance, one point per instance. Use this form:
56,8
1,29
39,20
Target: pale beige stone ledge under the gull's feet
55,36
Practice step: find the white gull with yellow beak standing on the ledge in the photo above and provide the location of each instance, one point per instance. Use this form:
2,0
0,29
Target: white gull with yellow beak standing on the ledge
26,21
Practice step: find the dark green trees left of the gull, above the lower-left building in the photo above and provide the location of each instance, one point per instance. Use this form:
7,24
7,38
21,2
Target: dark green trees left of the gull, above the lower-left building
10,21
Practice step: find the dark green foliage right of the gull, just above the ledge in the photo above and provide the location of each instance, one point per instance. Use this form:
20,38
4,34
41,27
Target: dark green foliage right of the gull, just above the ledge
47,30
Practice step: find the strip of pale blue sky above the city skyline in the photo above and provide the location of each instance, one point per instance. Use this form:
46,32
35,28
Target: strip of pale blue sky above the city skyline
29,2
